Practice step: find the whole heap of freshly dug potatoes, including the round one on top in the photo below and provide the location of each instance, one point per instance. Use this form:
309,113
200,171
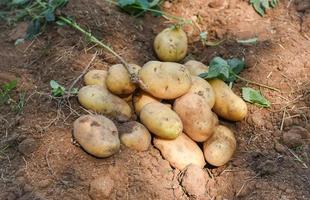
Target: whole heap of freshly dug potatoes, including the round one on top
174,104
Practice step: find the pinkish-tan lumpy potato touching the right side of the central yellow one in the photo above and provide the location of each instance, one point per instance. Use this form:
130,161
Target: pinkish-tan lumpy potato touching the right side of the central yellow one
196,115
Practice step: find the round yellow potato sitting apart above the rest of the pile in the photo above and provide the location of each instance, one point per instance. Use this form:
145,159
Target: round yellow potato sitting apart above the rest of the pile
170,45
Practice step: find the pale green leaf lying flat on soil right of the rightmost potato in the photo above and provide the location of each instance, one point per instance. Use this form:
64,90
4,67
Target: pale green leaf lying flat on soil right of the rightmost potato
254,96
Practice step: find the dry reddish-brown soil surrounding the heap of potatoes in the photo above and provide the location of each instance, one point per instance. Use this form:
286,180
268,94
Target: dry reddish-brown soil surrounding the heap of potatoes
39,159
